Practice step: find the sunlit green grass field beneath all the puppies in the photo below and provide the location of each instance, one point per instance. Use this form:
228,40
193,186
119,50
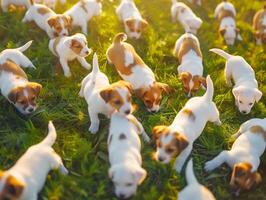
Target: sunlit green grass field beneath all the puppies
85,155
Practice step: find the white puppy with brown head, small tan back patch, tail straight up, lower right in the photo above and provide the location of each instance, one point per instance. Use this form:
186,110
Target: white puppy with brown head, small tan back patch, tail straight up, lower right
176,140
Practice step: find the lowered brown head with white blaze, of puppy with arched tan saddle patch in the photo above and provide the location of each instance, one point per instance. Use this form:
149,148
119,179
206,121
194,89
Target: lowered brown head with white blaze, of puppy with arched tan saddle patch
192,84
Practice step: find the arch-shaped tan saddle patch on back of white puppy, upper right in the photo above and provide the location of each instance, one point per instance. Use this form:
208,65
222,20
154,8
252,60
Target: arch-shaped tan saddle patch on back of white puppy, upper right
187,45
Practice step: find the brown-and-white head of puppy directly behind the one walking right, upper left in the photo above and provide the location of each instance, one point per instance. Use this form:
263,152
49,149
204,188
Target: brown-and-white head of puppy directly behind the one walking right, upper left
60,24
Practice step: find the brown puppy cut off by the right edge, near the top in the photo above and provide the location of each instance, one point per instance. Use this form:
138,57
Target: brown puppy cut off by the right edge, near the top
259,25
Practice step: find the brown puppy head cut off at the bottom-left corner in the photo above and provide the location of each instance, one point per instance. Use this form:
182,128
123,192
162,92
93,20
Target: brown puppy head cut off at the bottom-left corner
10,187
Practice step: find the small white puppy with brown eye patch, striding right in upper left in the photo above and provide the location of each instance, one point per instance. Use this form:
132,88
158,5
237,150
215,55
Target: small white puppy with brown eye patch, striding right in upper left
68,48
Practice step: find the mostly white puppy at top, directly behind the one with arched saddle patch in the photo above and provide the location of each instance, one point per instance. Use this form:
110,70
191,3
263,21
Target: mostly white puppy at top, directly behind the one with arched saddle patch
185,16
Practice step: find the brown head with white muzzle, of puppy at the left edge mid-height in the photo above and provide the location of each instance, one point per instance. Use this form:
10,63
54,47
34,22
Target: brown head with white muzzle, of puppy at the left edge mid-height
24,98
